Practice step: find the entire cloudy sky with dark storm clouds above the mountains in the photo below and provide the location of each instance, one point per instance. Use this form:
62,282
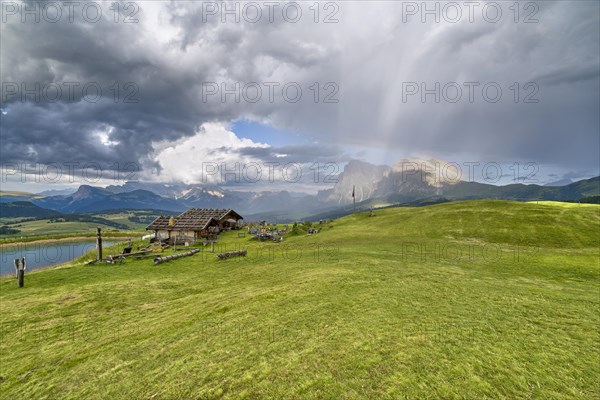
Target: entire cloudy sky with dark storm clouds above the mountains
161,90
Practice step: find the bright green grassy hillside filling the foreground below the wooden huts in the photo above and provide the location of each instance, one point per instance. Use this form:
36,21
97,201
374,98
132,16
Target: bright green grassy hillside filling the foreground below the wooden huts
478,299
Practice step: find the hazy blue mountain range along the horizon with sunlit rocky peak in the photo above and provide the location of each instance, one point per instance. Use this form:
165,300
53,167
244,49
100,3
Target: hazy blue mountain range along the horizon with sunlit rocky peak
373,185
